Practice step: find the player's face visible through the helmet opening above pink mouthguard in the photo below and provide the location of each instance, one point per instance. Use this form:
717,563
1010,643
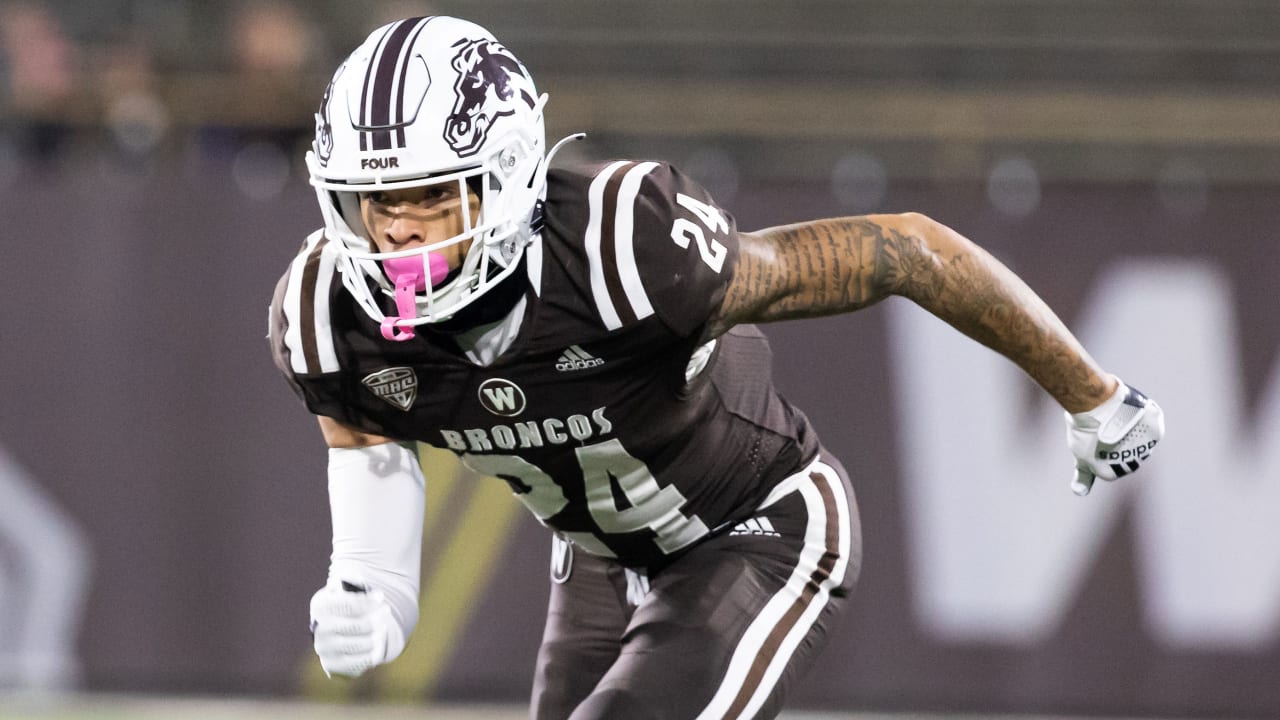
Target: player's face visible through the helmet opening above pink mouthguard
413,217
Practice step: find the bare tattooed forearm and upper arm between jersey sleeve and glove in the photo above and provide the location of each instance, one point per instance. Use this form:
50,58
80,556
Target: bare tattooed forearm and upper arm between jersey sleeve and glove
839,266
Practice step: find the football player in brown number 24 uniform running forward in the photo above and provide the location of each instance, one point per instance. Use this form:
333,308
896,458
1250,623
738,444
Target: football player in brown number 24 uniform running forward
587,335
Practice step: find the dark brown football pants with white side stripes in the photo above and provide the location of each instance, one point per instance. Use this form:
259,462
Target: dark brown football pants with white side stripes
723,632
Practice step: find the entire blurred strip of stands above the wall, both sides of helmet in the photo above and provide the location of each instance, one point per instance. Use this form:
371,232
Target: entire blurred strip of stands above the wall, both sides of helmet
1009,94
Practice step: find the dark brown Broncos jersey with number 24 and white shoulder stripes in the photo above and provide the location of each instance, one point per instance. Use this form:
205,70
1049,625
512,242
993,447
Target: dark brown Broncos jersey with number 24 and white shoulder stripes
609,417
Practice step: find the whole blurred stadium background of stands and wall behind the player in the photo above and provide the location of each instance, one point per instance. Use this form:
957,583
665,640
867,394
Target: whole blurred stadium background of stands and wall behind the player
162,495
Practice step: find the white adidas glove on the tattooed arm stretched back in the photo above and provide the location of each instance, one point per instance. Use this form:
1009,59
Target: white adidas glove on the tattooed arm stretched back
1114,439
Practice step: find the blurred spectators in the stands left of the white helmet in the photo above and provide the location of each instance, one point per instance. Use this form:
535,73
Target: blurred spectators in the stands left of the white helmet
149,79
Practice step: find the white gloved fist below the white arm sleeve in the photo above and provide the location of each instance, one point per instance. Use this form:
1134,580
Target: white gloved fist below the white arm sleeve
354,630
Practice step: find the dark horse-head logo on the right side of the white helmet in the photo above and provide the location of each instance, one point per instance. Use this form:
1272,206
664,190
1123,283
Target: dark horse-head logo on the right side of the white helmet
491,83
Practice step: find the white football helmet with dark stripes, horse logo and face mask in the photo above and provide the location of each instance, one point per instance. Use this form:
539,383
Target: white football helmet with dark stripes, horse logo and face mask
431,101
